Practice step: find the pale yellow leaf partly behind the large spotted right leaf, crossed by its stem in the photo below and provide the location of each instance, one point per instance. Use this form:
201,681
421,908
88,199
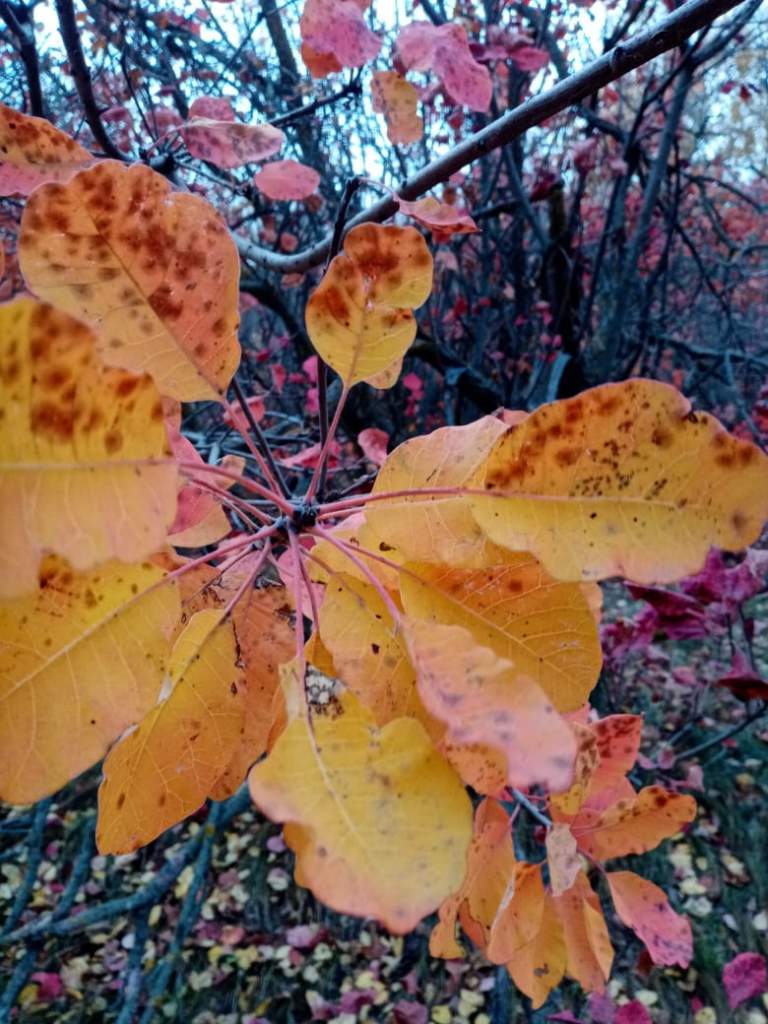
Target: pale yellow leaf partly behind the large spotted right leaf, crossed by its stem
437,528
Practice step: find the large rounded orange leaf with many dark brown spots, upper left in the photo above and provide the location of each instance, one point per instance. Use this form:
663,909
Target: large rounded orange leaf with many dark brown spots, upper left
154,272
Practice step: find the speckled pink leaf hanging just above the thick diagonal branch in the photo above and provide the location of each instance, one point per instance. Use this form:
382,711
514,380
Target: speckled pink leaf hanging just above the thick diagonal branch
445,50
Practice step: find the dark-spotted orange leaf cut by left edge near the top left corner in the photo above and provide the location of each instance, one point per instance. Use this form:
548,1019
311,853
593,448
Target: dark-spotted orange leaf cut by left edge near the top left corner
33,152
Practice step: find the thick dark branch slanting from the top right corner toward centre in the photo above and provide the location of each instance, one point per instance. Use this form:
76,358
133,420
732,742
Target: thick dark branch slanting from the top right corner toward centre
670,32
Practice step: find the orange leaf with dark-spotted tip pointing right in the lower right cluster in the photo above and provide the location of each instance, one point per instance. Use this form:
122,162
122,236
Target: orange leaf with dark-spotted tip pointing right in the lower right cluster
632,825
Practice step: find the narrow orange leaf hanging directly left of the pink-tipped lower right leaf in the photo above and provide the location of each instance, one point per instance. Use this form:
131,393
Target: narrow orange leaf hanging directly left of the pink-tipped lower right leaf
588,950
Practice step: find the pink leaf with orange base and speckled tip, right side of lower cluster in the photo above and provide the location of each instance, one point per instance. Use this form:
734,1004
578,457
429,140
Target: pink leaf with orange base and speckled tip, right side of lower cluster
646,909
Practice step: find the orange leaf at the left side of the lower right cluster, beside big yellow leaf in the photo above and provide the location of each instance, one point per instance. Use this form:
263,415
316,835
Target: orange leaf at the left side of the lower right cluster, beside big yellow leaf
491,866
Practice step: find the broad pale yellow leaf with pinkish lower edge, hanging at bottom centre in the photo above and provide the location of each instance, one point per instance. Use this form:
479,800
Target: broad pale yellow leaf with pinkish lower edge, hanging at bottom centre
380,824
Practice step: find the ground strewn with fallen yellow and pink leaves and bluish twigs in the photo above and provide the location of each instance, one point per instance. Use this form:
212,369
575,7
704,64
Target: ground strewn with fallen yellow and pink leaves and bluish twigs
207,926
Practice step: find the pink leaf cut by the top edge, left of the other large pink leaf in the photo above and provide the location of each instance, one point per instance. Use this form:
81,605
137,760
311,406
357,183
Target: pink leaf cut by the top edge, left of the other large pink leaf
337,29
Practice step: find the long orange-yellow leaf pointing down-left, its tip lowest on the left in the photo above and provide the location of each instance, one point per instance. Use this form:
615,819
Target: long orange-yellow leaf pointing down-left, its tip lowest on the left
165,769
